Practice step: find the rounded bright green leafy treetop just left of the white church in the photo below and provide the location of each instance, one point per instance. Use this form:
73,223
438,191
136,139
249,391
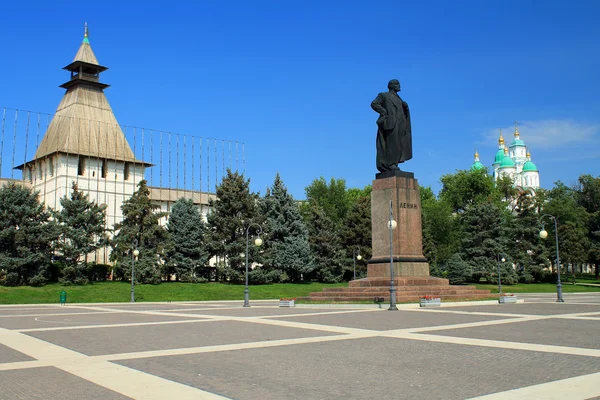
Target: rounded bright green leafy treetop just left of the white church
466,188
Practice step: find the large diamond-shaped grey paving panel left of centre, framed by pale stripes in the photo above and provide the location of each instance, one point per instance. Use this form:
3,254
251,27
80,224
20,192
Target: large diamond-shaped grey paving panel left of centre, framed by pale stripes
158,337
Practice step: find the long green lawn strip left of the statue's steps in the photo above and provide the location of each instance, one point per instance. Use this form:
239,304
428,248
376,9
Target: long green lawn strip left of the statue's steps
120,291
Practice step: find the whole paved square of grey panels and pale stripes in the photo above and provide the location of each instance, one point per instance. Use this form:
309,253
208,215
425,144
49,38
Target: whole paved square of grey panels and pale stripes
220,350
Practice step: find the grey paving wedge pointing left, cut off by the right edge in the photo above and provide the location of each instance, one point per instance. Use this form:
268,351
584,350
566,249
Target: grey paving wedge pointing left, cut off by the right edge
556,332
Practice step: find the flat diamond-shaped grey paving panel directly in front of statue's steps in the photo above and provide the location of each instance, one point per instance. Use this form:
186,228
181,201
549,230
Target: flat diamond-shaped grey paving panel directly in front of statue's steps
387,320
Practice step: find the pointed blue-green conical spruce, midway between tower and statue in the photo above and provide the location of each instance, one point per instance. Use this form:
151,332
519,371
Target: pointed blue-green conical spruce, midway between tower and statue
287,249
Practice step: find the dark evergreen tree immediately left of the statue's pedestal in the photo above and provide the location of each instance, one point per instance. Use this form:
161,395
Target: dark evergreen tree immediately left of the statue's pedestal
357,236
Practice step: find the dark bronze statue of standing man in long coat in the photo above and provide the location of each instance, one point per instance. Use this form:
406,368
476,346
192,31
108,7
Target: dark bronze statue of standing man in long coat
394,134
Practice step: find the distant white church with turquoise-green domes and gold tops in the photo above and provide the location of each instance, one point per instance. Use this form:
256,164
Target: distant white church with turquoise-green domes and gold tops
513,161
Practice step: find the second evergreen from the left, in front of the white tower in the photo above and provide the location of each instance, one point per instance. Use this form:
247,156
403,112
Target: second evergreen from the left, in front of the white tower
82,231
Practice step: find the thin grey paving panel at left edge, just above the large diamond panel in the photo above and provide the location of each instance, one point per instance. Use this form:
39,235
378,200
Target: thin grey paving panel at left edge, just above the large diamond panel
52,321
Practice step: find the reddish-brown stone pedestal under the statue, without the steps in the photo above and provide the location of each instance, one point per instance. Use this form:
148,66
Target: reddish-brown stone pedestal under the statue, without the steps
402,190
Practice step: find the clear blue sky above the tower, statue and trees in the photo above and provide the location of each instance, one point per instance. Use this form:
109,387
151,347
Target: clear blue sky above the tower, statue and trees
293,80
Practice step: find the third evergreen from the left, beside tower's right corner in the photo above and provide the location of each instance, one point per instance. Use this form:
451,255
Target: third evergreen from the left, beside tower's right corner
141,223
